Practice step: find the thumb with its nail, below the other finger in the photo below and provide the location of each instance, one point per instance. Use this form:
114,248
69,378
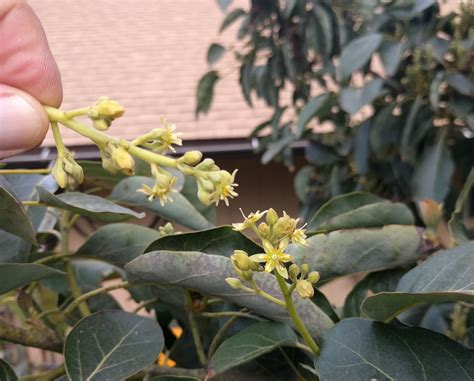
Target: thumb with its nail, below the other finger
23,122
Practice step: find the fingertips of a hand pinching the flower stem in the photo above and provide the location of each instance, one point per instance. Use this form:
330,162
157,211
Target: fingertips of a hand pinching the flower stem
29,77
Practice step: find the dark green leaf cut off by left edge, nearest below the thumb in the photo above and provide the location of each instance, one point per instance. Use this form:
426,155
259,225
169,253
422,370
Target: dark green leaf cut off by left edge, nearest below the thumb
13,217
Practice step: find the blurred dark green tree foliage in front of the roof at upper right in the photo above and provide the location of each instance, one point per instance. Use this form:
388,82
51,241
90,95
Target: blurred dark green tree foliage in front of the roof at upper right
381,91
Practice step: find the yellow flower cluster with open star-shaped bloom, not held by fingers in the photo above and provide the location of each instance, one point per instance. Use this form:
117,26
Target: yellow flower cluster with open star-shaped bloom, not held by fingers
275,234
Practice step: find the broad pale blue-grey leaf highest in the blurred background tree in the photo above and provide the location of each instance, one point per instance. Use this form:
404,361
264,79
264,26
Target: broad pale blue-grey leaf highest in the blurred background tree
358,52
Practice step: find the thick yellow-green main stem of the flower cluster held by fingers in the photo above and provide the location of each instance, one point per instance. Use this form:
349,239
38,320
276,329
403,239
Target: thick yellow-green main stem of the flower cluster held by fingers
102,139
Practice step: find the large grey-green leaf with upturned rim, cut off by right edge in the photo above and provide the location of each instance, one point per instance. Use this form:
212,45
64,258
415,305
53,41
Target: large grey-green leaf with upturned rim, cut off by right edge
445,277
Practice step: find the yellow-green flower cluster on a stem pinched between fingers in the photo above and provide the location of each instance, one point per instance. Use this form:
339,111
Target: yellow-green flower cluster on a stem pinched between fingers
214,184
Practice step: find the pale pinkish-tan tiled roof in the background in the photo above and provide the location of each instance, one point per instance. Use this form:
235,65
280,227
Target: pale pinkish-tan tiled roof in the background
148,55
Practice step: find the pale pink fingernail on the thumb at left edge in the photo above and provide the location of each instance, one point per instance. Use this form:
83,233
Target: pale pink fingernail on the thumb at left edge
20,124
